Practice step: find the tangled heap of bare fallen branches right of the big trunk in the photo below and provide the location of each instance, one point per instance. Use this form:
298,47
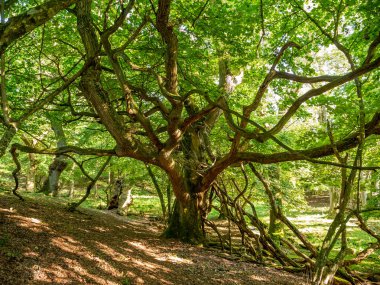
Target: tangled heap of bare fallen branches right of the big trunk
309,261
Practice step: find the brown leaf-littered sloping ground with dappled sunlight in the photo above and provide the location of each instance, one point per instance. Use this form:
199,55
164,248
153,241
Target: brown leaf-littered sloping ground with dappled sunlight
42,243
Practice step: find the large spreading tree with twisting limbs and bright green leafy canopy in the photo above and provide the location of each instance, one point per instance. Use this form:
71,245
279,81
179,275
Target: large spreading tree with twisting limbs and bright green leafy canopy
195,87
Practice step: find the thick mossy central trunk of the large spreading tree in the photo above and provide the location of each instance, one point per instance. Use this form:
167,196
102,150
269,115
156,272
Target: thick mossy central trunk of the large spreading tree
186,222
